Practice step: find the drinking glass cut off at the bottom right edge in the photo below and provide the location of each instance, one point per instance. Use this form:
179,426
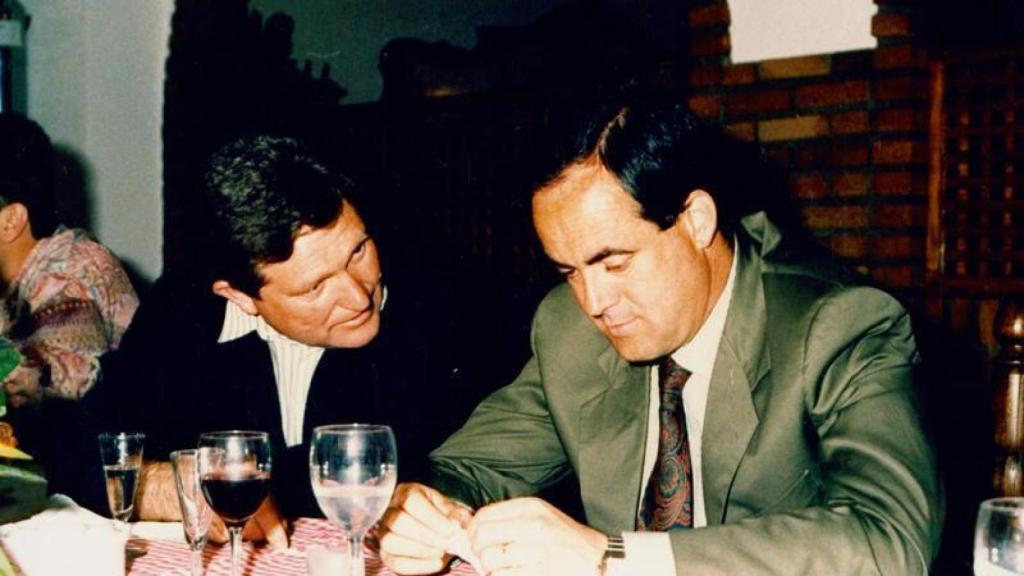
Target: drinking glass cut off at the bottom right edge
999,539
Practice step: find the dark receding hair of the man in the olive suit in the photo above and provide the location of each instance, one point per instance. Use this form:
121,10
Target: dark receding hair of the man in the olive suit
661,152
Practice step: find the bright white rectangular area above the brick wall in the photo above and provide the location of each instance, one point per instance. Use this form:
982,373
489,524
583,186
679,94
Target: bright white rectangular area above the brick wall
774,29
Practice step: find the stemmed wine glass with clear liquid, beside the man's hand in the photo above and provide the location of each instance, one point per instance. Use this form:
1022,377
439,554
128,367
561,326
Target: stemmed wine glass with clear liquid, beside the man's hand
354,470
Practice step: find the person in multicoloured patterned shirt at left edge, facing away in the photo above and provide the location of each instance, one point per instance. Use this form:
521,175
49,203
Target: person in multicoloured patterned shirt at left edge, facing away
66,299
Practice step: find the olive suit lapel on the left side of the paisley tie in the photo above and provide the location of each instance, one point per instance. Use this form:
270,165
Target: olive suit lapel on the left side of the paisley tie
614,423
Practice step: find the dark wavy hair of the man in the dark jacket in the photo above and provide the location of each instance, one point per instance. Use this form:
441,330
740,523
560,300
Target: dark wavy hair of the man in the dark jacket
263,191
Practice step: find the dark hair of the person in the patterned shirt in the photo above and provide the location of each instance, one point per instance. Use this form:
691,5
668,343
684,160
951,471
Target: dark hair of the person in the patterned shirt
27,172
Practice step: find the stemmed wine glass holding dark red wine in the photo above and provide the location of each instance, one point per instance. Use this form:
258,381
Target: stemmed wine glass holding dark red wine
235,475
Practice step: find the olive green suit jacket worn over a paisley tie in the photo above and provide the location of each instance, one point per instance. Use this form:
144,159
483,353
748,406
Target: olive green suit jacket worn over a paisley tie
814,459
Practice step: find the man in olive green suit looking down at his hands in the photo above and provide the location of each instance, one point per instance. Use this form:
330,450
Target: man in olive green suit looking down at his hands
805,455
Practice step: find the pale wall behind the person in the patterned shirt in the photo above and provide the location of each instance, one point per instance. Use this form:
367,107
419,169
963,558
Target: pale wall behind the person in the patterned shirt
95,79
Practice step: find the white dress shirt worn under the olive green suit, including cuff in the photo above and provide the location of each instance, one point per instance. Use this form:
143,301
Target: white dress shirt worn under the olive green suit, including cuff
651,553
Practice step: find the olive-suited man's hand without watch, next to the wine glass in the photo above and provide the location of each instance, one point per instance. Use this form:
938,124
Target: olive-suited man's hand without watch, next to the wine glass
419,528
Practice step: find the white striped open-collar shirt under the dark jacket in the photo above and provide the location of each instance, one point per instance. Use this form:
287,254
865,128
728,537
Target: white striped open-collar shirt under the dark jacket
294,364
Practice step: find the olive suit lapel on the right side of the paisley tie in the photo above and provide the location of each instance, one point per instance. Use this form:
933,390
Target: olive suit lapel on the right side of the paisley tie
743,361
